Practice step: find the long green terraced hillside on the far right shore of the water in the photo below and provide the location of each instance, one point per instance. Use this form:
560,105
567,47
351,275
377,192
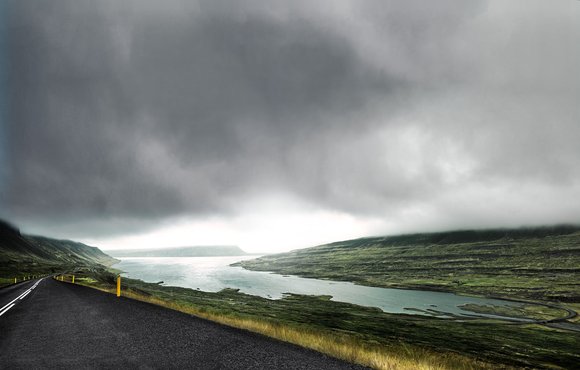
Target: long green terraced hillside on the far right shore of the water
535,263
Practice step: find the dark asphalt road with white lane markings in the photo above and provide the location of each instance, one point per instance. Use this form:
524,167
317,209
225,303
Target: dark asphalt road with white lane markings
60,325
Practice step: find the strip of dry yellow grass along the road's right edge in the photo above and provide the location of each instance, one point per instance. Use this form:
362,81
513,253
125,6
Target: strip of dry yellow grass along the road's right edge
342,346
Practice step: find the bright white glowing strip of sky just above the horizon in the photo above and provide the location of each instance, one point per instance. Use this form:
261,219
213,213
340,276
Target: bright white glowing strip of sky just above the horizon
270,234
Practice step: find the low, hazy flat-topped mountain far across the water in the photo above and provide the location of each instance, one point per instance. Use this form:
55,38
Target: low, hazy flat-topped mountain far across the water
199,251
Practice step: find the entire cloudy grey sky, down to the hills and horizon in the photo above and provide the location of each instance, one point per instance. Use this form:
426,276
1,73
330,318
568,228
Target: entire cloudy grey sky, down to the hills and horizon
276,125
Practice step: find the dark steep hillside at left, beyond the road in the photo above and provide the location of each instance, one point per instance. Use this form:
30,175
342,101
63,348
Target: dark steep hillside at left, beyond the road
25,254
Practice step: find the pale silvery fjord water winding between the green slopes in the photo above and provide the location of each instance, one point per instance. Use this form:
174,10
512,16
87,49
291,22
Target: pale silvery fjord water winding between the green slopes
212,274
